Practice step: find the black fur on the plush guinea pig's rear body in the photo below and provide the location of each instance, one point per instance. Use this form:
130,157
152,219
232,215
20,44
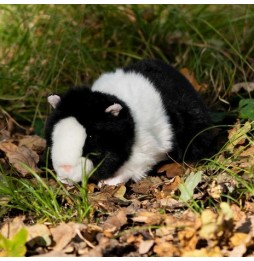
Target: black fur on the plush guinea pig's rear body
184,106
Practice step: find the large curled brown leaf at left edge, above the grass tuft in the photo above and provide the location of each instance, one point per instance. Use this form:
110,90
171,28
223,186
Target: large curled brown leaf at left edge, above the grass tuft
20,156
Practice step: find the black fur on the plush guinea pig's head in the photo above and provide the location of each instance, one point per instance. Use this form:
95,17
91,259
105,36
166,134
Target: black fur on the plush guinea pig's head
109,138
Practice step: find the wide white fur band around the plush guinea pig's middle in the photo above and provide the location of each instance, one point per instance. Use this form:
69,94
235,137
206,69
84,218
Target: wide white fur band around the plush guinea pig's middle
153,132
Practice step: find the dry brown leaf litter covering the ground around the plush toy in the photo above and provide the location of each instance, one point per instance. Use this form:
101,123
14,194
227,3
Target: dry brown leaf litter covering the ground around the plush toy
178,211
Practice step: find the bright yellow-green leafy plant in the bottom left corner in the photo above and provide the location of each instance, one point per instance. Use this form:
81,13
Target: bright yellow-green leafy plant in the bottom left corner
14,247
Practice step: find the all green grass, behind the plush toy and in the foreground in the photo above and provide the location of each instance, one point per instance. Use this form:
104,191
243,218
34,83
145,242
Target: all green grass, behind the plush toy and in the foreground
46,48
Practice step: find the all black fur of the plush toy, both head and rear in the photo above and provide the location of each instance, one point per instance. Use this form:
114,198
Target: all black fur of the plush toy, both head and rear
111,138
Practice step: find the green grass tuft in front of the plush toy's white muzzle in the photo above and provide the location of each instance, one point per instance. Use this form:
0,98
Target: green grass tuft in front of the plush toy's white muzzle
44,199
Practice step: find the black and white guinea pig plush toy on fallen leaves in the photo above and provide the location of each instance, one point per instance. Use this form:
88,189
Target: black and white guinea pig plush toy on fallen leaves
130,120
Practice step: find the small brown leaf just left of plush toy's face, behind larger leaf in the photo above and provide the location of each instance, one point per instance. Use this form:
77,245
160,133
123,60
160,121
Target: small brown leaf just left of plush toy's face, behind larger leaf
34,143
